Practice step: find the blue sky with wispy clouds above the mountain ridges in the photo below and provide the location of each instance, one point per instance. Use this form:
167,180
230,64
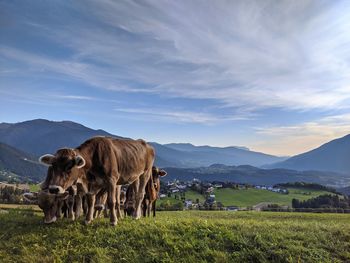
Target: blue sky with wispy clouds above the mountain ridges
273,76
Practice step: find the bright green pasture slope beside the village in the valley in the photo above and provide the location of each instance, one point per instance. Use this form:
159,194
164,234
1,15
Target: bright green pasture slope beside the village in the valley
251,196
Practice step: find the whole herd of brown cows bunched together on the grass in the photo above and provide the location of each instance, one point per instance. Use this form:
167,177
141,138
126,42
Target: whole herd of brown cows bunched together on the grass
92,177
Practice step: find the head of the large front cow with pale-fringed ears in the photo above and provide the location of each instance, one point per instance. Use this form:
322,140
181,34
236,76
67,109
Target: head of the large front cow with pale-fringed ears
64,169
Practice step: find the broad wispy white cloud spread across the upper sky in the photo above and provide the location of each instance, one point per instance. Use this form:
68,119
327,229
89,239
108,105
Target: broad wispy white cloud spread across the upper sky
248,54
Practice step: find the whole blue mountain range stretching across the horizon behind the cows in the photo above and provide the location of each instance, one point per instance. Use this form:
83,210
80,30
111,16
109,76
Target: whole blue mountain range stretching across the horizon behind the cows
22,143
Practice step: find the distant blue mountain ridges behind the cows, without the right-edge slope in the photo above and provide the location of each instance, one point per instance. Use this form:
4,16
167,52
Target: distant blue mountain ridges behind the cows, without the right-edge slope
40,136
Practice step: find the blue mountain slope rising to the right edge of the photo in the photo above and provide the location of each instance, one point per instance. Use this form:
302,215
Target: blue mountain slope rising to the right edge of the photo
331,156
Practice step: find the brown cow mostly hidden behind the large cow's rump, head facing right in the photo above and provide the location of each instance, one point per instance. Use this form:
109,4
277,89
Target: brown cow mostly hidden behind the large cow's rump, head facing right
152,191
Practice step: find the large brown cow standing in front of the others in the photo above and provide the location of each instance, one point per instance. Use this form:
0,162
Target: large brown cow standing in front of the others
106,162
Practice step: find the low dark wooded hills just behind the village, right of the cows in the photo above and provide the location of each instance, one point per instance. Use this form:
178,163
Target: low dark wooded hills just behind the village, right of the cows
254,175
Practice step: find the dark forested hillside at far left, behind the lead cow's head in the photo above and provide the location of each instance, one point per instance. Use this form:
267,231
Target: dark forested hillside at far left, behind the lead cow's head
22,164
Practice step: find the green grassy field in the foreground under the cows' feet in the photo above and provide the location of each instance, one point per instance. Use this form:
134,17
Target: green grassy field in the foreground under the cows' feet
191,236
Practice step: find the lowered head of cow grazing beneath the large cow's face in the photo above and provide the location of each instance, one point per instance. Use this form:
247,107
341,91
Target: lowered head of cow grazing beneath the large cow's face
48,202
